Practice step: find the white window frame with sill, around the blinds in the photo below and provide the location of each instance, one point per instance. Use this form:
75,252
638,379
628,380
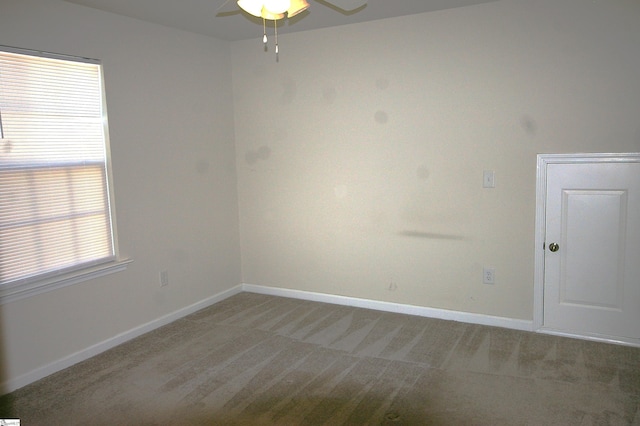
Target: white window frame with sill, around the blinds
52,280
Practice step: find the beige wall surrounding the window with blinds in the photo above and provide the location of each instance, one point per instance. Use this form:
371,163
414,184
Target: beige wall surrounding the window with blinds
171,121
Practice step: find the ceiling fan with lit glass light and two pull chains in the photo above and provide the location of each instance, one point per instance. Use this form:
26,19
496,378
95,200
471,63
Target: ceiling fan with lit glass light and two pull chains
274,10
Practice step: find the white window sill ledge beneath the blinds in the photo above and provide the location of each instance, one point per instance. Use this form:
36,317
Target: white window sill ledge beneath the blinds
12,293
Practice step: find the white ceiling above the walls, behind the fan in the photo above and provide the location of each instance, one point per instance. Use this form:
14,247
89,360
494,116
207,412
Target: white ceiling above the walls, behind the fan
224,20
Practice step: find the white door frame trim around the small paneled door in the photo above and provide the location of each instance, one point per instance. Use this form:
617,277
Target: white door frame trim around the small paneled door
540,230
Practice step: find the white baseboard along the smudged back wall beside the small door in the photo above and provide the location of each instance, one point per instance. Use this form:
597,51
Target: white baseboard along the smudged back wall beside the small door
467,317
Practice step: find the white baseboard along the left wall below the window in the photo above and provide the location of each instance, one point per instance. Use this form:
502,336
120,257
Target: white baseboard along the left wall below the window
84,354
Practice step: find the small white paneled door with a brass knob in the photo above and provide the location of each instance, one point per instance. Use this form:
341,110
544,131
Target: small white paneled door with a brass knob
592,249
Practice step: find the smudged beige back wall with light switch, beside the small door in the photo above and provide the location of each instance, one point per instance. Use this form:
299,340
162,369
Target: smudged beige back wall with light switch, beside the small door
360,154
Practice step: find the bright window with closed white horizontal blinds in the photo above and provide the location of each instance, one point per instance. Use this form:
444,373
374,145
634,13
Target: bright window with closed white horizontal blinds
55,202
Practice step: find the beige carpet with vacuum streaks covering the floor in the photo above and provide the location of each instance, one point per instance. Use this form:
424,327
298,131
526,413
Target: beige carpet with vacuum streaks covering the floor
264,360
